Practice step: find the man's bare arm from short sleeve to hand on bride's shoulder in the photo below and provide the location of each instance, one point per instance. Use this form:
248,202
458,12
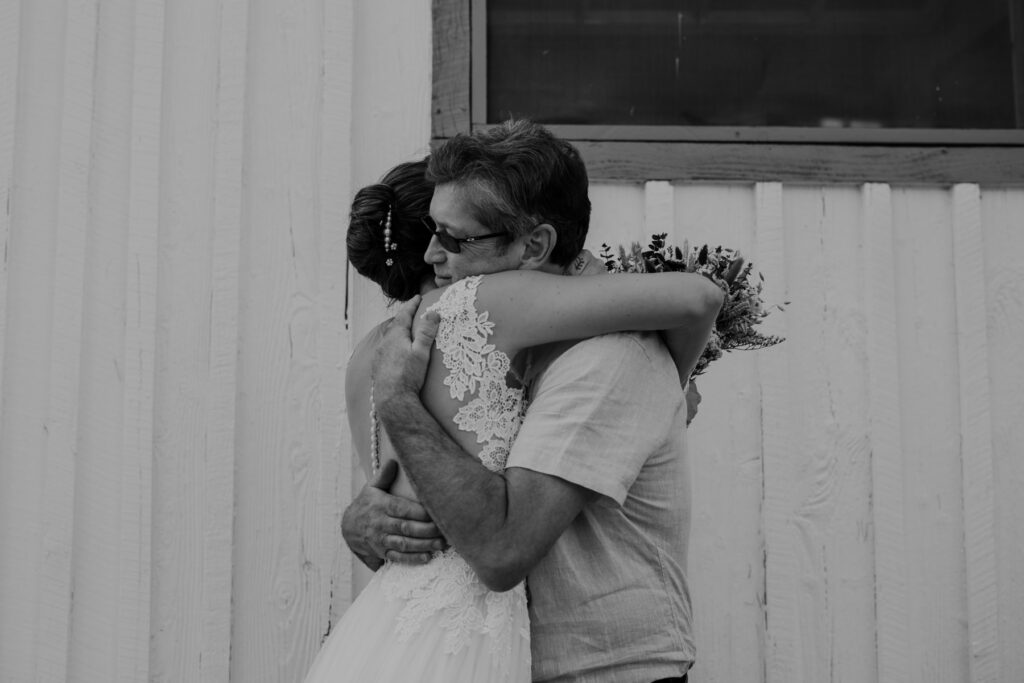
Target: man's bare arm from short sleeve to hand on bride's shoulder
502,524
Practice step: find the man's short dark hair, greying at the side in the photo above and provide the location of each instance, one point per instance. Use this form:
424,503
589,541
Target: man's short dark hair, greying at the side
518,176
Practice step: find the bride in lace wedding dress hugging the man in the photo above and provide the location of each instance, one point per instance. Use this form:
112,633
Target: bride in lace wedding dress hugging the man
439,622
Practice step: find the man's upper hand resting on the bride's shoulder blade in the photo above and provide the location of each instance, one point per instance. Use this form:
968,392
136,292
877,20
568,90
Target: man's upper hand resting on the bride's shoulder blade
401,363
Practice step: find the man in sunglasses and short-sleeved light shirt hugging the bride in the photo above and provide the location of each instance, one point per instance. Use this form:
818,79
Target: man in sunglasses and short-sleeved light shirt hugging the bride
594,503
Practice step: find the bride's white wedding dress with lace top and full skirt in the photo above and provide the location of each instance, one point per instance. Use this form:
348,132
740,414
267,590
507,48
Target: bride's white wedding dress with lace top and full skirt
438,622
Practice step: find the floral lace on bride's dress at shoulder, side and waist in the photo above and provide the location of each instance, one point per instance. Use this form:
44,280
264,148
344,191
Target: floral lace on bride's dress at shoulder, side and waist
493,411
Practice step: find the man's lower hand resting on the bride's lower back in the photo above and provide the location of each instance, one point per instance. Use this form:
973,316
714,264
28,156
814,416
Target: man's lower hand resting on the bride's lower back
378,526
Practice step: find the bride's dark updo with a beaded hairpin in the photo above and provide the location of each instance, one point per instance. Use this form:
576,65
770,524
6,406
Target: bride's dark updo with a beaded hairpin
395,261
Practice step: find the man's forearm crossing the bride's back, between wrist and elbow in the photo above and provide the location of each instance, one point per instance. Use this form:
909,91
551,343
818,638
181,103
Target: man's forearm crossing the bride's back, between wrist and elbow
467,501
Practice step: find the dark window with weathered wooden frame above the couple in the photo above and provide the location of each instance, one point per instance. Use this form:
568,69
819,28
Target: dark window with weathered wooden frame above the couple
821,91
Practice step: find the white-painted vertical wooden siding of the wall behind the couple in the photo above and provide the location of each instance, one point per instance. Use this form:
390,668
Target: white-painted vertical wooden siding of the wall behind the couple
176,314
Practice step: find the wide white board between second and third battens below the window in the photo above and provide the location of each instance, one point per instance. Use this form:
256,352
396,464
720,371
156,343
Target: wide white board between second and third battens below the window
823,526
